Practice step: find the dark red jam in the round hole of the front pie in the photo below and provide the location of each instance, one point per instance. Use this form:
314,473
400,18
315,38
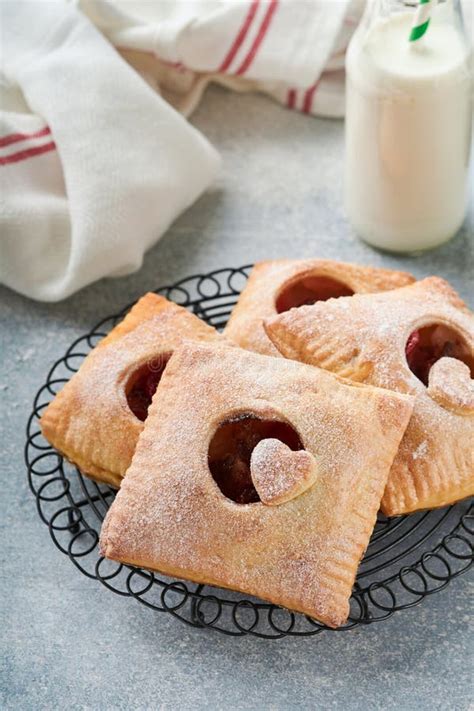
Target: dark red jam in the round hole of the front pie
231,448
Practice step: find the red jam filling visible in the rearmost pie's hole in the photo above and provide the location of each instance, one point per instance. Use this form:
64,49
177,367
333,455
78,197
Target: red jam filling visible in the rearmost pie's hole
309,289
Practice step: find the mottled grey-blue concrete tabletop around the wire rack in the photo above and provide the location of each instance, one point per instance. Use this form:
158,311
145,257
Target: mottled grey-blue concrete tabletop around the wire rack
68,642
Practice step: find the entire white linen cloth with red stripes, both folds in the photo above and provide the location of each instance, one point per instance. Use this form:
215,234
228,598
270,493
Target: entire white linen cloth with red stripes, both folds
96,163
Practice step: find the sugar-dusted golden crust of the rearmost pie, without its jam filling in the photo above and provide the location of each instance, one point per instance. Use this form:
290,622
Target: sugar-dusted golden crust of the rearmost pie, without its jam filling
267,279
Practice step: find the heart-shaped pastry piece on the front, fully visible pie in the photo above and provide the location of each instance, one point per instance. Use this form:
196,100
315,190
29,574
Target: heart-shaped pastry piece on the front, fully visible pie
280,474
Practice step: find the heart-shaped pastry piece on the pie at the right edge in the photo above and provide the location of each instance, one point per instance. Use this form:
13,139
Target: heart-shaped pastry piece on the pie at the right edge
451,385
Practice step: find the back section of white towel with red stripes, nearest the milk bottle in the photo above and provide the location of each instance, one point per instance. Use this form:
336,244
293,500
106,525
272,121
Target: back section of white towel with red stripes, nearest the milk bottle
293,50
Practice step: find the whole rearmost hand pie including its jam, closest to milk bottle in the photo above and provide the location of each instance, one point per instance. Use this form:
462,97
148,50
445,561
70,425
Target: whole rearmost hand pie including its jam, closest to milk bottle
277,286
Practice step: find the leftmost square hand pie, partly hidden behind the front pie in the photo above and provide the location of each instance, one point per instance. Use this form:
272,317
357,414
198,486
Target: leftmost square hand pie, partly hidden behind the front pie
96,418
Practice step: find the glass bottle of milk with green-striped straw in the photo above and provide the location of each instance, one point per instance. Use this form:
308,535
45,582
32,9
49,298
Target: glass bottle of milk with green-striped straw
408,125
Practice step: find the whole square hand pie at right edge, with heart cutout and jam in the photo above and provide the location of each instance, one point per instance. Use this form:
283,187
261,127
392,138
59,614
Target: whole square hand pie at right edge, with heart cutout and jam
417,340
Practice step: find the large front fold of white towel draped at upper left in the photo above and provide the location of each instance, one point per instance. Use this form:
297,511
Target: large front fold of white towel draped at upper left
95,166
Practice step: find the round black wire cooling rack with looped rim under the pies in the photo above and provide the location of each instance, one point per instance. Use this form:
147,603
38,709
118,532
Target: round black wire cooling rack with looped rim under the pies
408,558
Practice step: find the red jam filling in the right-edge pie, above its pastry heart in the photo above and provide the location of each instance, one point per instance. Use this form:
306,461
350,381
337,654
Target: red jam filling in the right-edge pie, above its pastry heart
427,345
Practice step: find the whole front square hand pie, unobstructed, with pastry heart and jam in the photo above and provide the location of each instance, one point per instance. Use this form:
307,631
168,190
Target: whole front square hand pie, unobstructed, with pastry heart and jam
257,474
